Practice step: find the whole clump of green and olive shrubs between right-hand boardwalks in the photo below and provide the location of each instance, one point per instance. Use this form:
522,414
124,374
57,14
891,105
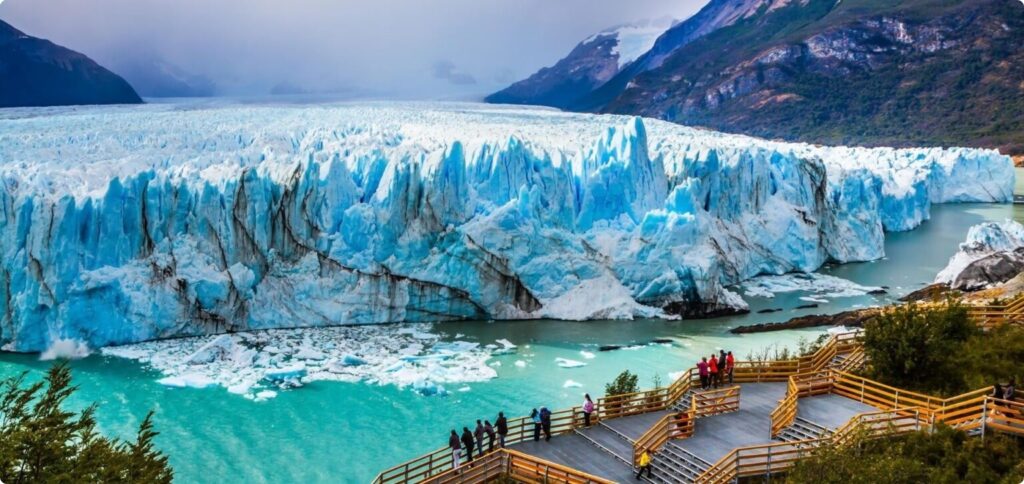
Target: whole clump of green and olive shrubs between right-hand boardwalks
940,351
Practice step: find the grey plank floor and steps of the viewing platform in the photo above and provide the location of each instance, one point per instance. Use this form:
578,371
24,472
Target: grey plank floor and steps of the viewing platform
607,450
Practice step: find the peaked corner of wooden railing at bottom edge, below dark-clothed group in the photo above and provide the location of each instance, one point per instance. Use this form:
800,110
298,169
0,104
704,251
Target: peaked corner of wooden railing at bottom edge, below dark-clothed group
516,466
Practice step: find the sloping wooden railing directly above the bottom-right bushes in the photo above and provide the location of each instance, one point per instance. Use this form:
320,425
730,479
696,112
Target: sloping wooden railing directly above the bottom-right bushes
776,458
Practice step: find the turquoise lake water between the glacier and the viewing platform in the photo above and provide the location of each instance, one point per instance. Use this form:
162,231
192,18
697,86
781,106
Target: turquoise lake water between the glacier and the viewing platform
339,432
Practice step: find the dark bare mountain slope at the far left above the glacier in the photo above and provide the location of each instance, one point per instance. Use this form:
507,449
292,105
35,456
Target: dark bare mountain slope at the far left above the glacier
36,72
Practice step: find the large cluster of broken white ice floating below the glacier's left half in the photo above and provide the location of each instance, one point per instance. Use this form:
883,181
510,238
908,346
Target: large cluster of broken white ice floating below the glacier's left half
247,364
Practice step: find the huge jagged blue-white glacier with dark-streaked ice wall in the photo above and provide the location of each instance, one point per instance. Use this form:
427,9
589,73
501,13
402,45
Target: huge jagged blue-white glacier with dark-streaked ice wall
126,226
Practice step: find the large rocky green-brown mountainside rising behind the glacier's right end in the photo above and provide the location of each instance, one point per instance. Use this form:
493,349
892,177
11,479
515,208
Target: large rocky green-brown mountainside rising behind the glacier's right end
885,73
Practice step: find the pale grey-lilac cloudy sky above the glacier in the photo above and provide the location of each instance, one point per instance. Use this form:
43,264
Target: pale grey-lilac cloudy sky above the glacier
409,50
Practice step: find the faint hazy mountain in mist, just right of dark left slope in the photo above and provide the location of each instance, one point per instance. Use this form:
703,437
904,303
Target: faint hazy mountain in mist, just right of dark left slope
154,77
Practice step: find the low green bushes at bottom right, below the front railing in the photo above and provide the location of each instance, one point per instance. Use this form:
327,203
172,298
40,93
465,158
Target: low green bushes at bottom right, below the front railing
947,456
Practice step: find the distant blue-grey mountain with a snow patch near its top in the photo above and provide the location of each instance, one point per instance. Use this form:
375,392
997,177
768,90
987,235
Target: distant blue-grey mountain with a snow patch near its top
588,67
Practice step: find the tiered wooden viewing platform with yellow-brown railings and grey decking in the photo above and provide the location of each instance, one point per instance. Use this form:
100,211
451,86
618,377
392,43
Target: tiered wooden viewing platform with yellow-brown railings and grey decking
776,414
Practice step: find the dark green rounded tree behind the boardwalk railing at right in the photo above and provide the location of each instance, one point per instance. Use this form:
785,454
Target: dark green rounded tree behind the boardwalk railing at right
919,348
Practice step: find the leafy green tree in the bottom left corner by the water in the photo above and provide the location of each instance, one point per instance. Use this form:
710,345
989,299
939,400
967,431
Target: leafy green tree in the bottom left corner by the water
42,443
